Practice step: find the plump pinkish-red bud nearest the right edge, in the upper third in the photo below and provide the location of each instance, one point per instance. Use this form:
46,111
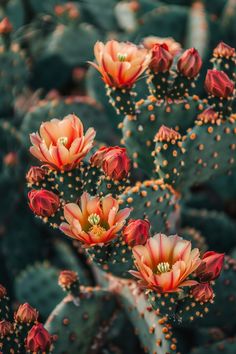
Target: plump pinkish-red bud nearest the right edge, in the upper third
217,83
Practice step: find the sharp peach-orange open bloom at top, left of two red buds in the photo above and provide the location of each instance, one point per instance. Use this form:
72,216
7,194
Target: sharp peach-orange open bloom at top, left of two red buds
120,63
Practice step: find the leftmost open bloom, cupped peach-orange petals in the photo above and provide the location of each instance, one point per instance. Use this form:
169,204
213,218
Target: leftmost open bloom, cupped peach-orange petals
62,144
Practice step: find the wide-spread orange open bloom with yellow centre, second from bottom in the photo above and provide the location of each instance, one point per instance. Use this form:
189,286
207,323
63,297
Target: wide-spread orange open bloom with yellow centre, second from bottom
95,221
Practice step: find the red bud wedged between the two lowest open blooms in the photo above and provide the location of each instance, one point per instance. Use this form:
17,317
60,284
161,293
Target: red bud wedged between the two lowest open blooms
136,232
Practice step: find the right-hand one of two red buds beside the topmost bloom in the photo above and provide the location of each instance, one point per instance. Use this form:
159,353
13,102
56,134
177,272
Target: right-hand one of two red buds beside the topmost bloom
190,63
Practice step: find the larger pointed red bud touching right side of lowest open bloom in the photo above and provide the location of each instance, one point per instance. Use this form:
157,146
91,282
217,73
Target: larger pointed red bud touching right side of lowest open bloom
211,266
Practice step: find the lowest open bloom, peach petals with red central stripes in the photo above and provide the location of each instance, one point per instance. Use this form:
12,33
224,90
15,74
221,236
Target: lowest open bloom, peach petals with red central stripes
165,262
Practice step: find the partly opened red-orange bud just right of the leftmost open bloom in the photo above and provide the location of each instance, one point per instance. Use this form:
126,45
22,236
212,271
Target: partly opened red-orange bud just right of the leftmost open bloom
113,160
